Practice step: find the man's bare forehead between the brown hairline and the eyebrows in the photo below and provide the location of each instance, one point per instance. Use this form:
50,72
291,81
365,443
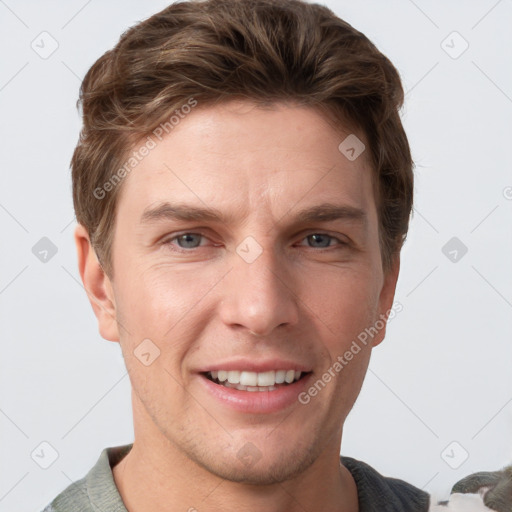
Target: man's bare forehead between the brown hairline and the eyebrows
249,159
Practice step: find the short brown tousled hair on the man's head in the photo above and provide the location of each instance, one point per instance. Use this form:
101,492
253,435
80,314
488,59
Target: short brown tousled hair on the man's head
219,50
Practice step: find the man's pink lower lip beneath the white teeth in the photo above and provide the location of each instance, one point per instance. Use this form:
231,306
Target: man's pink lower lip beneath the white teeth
257,402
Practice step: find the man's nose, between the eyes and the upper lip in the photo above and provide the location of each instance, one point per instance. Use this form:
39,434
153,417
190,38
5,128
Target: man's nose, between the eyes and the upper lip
259,295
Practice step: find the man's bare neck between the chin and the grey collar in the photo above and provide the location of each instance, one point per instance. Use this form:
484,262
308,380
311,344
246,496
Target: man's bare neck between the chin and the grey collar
156,475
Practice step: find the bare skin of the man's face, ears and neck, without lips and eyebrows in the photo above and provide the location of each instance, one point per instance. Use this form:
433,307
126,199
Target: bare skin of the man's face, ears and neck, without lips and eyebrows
304,299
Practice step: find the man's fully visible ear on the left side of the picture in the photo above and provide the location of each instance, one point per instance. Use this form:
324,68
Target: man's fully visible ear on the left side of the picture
97,285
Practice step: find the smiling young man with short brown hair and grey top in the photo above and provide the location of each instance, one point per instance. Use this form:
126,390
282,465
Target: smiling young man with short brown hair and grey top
243,186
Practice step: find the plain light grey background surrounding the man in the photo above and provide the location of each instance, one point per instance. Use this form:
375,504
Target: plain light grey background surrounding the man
443,372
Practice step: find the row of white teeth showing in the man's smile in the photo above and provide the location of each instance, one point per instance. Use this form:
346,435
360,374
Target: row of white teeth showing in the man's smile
255,380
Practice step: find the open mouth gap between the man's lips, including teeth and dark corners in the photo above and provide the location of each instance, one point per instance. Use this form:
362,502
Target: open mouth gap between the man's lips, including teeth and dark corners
254,381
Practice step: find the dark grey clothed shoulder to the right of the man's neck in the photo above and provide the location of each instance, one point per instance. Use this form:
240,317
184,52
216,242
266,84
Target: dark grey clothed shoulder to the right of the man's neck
384,494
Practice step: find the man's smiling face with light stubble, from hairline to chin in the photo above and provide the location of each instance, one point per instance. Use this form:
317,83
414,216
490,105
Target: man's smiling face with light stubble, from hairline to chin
281,277
